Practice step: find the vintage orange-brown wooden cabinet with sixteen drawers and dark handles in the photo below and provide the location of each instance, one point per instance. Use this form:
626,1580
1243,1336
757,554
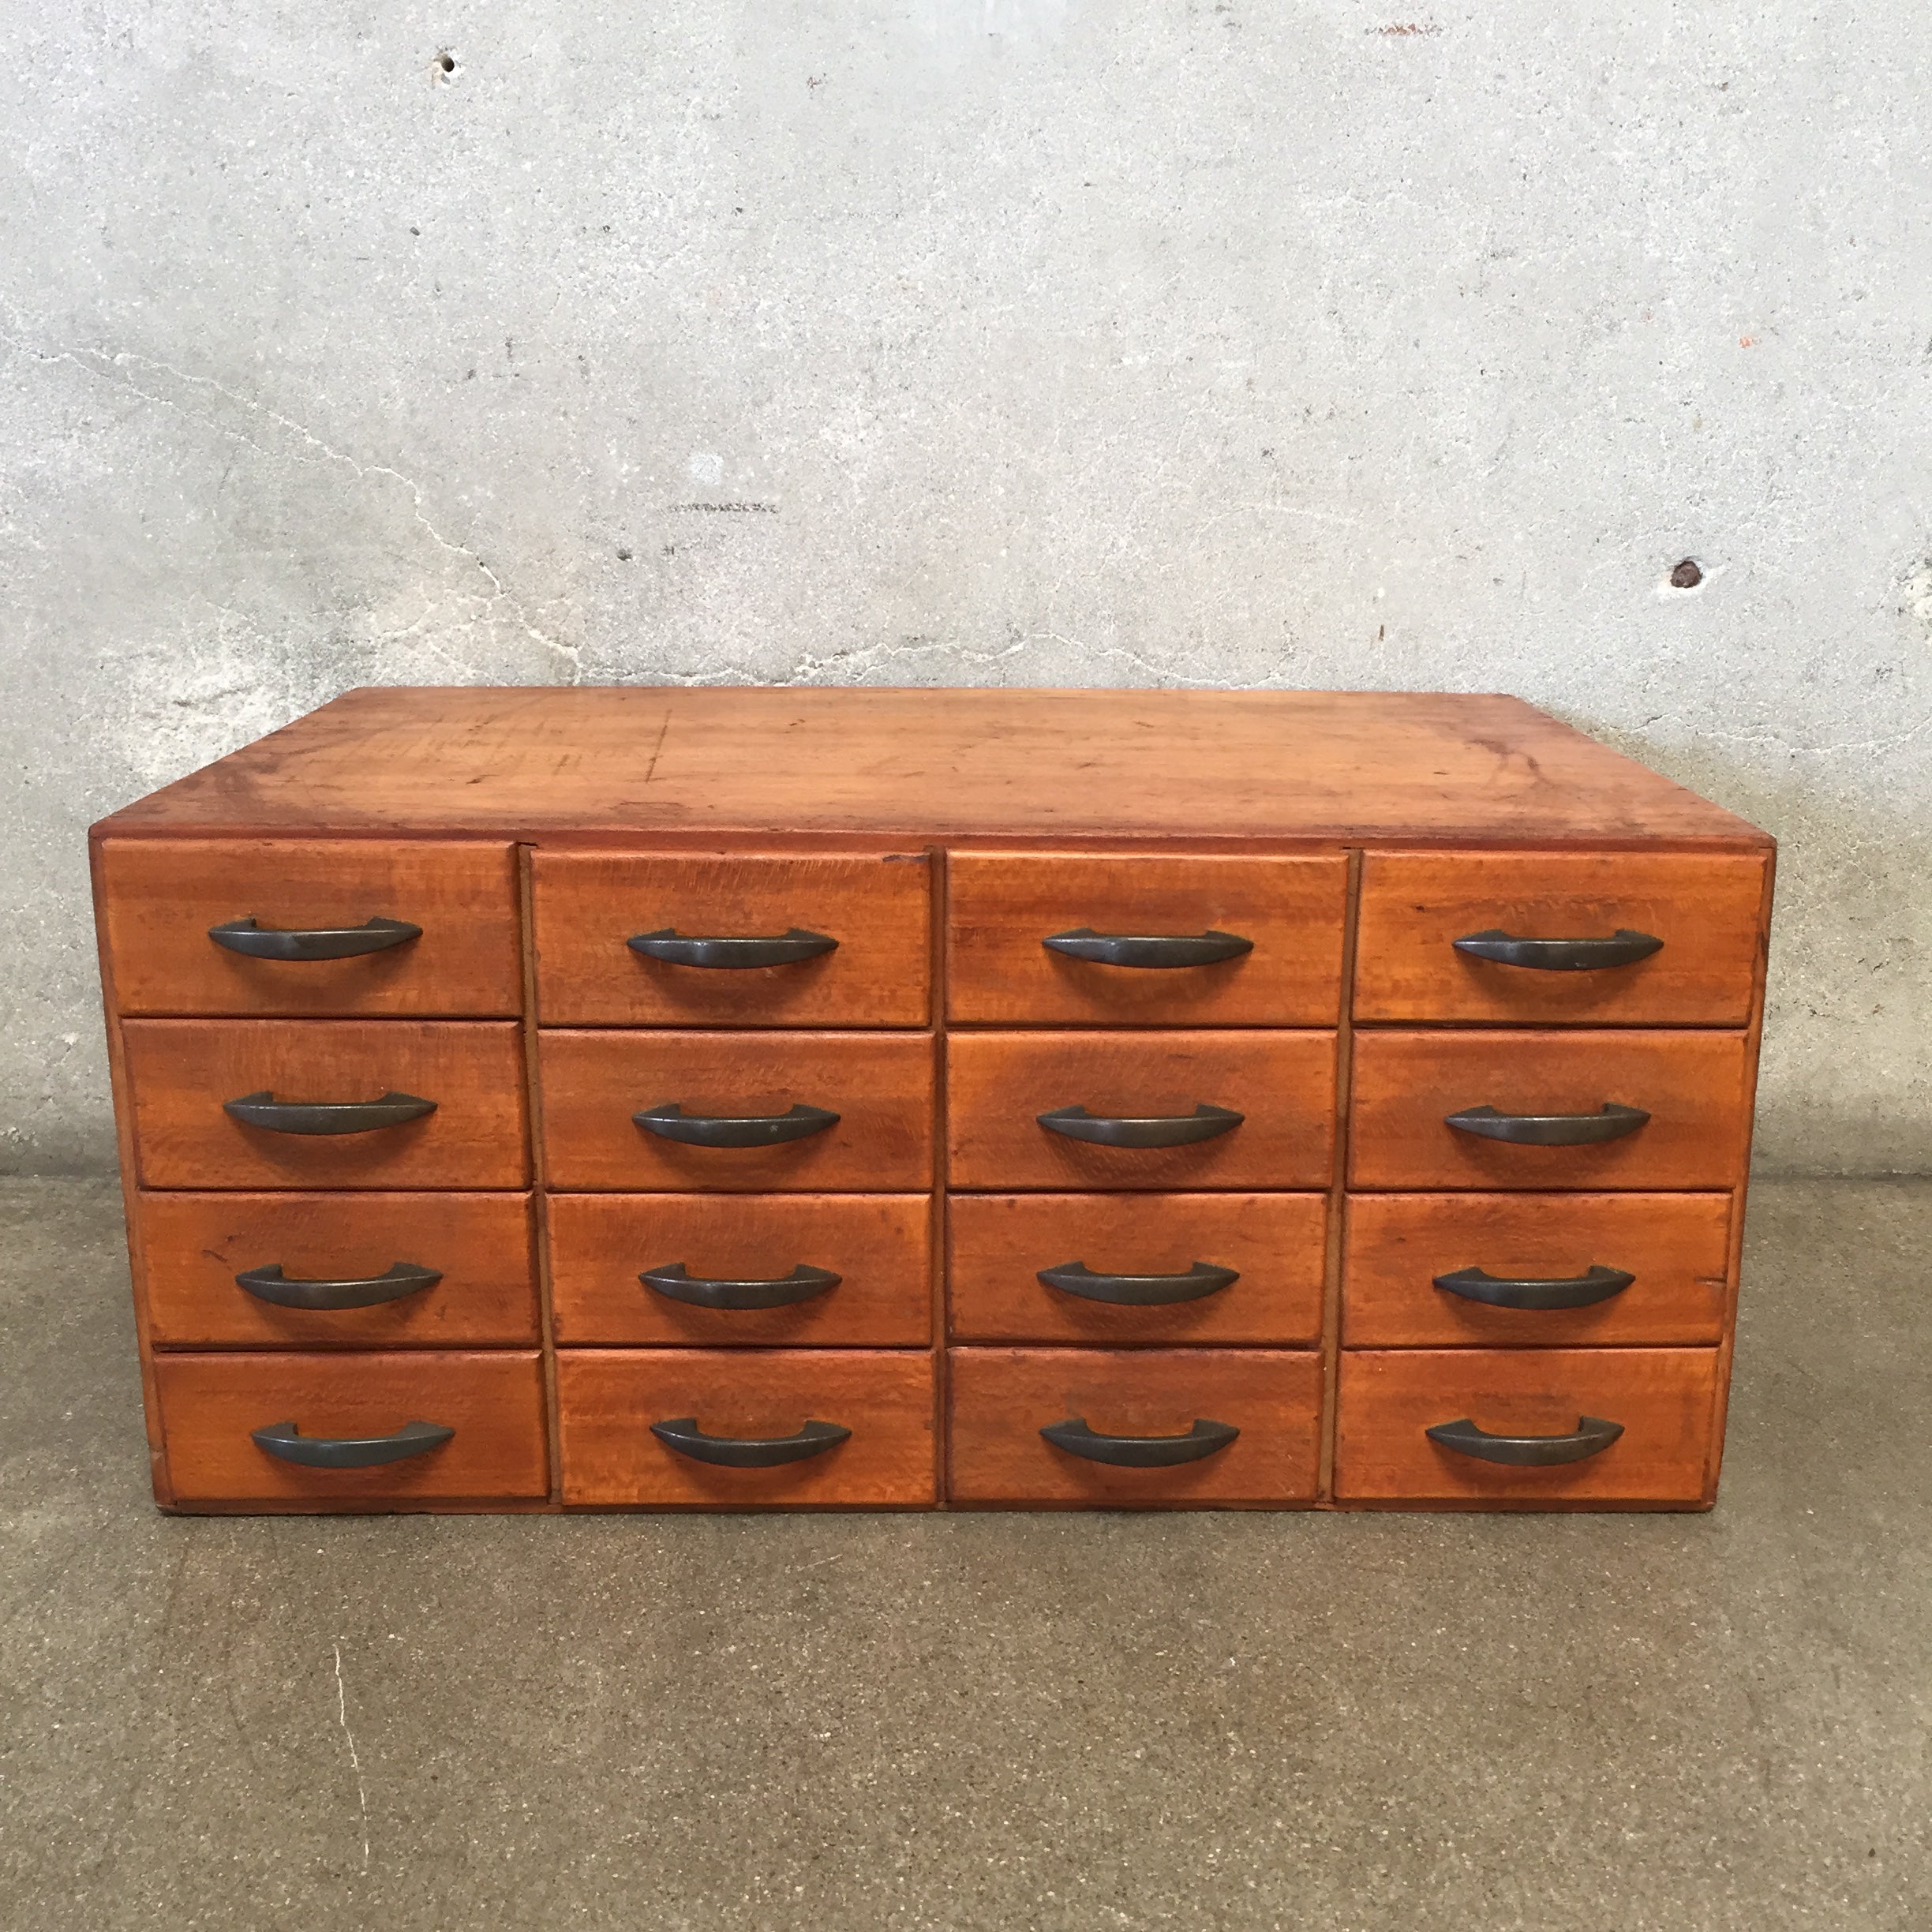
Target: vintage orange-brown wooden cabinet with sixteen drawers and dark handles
774,1098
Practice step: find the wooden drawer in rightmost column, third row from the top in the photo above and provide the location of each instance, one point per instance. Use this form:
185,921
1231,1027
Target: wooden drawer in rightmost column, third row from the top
1670,1253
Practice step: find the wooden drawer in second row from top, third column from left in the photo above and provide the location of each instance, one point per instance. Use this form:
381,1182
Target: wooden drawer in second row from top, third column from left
1284,1087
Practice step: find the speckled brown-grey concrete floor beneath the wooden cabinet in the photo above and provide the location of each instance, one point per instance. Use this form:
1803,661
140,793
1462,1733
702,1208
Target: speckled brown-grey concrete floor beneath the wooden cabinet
1421,1724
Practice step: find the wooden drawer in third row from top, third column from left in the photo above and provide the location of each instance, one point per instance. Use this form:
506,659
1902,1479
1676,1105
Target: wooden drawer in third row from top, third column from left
1272,1243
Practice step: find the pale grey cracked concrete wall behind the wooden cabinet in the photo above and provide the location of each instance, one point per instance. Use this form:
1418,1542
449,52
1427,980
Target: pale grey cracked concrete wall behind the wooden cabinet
984,341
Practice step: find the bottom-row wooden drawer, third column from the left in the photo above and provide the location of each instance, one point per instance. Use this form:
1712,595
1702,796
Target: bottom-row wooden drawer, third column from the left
1004,1398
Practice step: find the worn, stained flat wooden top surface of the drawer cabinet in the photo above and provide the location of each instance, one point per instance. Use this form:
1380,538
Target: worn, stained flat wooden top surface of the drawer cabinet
936,764
